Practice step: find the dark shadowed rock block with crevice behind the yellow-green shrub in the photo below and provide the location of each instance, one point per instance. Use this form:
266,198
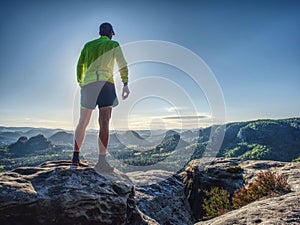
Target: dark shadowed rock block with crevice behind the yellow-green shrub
202,174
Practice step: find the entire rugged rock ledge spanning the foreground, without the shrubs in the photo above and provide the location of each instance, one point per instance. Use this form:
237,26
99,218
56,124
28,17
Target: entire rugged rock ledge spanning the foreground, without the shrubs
53,193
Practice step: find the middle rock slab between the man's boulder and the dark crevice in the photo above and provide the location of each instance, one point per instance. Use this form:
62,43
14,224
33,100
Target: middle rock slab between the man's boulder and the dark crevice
160,195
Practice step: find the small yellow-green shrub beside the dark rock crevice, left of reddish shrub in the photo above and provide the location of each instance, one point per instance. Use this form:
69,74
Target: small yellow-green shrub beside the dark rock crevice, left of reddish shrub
217,202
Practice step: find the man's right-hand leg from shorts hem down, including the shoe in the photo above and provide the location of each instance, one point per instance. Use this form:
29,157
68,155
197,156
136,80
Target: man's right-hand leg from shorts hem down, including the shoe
104,118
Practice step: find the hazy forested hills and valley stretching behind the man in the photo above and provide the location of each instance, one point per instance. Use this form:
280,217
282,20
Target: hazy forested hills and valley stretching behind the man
258,140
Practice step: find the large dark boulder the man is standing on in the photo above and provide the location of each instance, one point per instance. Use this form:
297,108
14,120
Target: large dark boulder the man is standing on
53,193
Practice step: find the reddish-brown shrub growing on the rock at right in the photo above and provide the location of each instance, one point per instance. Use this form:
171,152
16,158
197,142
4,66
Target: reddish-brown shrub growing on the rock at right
265,184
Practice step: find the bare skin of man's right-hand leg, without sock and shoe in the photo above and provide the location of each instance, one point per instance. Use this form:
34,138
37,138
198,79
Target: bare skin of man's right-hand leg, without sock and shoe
104,117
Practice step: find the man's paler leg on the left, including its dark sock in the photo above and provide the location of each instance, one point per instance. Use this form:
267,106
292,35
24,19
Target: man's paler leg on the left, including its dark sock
85,116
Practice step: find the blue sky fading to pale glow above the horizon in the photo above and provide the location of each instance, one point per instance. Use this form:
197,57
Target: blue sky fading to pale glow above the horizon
251,48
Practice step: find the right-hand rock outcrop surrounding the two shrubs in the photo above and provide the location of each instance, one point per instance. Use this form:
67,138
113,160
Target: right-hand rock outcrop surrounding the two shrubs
231,174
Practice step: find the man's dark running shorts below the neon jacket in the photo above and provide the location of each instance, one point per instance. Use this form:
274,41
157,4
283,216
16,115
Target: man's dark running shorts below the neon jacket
99,93
